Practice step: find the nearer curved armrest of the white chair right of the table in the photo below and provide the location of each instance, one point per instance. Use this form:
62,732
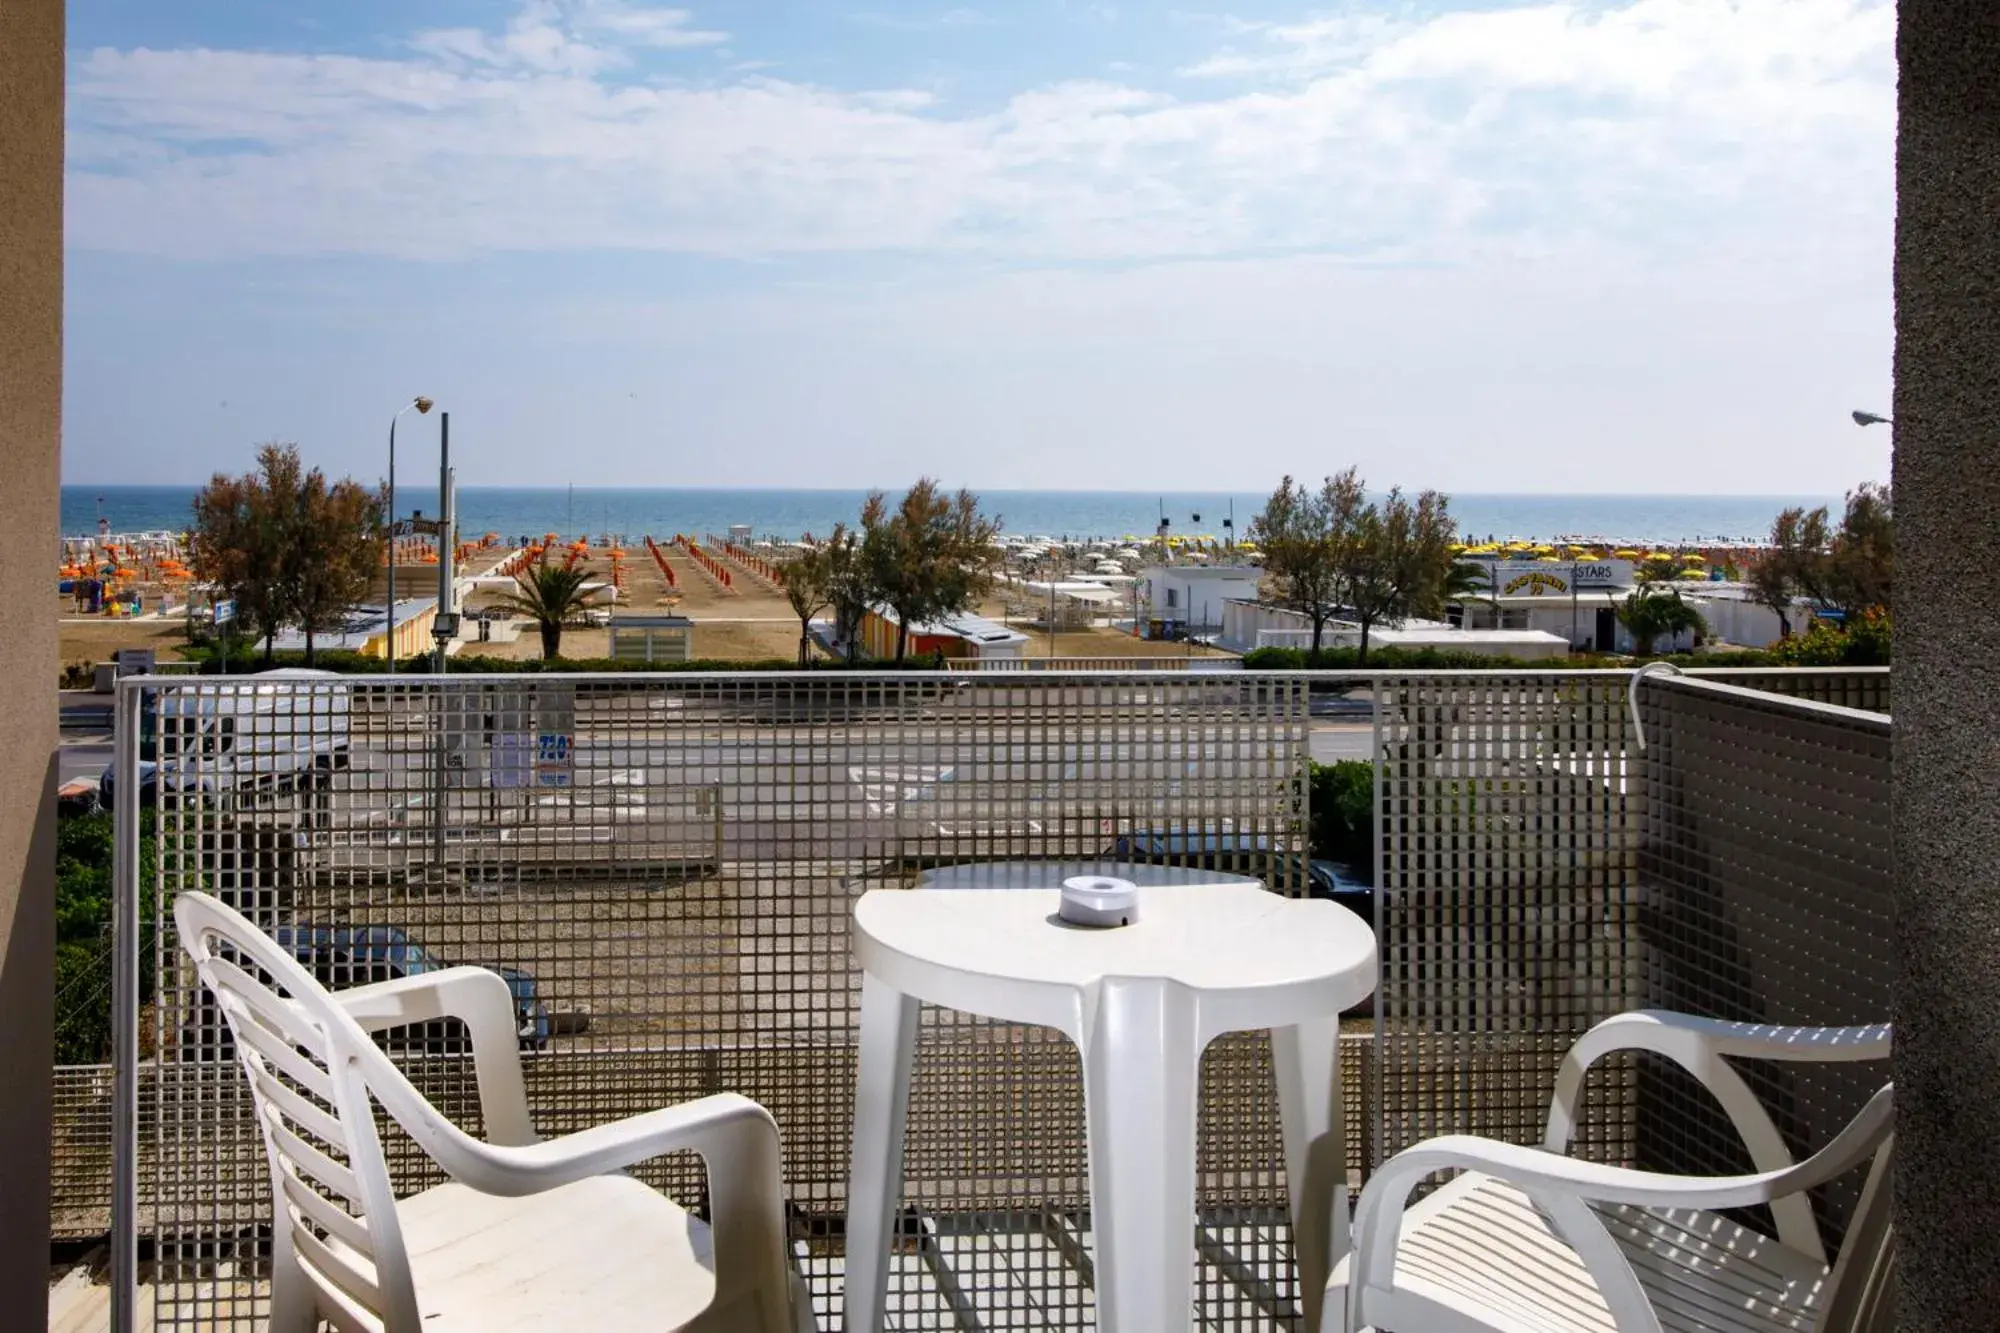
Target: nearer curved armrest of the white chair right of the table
1559,1184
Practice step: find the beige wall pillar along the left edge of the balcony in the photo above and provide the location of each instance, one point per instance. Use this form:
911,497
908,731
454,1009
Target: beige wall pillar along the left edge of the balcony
31,421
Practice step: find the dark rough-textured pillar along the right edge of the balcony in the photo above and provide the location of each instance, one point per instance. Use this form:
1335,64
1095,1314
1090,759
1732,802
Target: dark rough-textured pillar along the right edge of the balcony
1949,665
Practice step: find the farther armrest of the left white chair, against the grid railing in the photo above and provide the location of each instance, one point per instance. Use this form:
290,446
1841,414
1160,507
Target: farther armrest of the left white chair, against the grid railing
479,1000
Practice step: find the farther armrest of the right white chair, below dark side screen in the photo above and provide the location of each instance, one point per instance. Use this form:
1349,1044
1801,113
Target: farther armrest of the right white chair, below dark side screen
1701,1048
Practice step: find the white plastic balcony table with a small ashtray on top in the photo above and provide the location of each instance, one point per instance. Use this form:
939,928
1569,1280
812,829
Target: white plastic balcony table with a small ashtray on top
1141,1004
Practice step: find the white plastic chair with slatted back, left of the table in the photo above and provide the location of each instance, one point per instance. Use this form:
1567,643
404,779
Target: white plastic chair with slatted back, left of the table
527,1234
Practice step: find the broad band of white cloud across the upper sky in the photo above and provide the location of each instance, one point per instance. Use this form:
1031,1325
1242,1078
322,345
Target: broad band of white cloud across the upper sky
1659,127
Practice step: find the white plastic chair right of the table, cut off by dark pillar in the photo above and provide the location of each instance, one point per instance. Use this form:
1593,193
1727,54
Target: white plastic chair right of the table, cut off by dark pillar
1535,1242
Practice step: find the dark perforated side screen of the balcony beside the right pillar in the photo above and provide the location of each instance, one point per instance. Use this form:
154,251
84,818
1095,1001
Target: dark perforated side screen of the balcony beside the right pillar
1765,860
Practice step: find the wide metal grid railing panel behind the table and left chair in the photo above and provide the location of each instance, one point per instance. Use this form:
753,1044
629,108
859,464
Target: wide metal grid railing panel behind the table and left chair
665,868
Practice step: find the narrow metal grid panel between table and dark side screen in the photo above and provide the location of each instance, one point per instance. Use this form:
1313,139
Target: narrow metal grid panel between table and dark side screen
1505,902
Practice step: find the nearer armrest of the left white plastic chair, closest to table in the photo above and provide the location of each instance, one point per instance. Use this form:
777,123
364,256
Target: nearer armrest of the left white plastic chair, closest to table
735,1138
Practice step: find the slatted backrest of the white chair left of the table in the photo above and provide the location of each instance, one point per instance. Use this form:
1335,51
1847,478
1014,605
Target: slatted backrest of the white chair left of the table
301,1052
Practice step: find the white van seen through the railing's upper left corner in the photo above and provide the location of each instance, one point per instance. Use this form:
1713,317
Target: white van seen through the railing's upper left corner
267,738
